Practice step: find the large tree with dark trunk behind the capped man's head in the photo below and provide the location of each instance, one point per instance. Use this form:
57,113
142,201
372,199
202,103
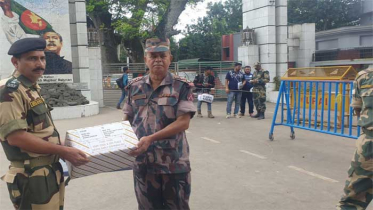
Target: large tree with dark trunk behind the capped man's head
129,22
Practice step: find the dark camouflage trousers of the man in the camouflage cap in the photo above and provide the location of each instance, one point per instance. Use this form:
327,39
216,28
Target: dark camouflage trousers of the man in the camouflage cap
162,191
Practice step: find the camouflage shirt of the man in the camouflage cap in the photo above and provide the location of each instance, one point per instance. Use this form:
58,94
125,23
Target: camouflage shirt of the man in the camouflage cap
152,110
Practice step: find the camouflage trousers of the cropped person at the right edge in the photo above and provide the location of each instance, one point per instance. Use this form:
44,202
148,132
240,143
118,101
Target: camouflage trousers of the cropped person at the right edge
359,186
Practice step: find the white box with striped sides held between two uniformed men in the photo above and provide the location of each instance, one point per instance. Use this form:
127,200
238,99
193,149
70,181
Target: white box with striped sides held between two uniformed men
107,146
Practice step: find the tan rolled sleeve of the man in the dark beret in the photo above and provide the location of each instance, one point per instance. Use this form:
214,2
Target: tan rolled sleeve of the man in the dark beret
12,113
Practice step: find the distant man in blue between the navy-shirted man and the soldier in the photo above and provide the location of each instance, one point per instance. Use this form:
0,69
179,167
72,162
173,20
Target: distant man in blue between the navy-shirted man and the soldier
246,94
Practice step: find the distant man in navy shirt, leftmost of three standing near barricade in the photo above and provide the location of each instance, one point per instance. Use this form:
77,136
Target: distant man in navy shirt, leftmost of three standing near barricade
234,81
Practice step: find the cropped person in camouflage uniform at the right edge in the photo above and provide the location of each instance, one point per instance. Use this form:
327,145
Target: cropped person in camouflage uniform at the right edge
359,186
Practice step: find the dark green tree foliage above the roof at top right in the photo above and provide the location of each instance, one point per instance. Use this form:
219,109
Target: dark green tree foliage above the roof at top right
327,14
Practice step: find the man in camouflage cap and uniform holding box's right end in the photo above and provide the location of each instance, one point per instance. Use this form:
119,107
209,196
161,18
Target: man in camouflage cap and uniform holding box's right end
159,108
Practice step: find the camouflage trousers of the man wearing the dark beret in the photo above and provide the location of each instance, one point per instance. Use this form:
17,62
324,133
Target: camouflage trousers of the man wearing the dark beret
41,189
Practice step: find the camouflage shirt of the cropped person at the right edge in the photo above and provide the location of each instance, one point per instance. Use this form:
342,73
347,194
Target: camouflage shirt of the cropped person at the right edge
362,97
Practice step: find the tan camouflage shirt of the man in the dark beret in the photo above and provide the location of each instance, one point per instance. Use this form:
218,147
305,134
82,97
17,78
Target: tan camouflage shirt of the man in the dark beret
22,108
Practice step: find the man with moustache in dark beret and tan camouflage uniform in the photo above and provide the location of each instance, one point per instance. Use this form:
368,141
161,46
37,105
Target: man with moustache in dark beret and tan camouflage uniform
28,135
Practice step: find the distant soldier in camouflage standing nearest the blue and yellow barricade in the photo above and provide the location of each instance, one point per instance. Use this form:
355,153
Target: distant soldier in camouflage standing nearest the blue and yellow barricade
260,78
